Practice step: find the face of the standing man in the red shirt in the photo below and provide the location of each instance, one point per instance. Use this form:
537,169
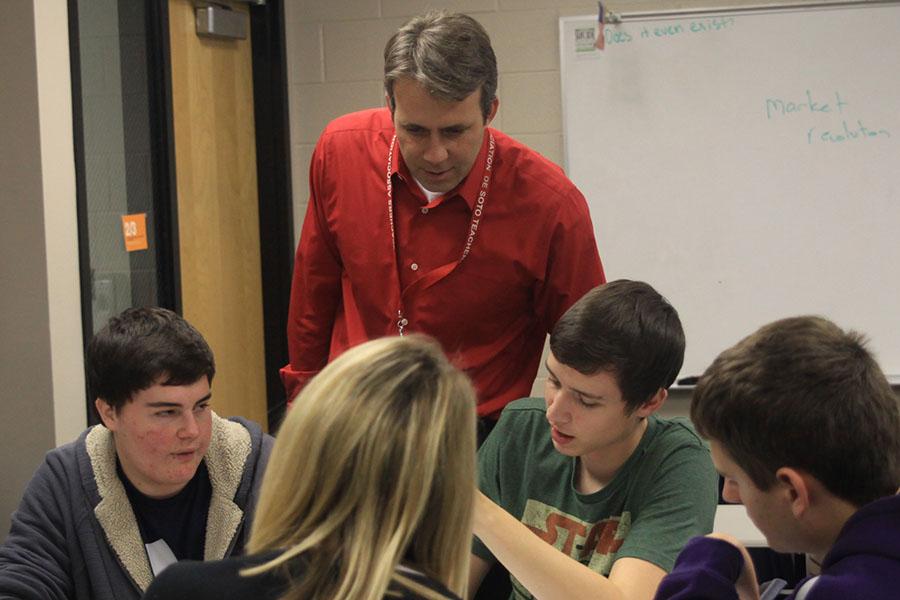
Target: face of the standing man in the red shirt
439,140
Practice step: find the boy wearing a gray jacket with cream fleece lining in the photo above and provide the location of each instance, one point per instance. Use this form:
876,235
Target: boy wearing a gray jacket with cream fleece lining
162,479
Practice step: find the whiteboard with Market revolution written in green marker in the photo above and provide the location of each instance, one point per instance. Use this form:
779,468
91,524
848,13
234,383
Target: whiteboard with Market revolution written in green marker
747,166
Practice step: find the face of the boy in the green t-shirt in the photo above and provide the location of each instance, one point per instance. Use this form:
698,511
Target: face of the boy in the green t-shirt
587,414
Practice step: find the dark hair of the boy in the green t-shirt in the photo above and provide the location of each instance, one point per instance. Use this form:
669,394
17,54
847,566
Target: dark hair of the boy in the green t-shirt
627,328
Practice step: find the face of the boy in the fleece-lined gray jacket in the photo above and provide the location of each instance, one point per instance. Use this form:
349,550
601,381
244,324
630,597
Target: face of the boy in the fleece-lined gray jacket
161,435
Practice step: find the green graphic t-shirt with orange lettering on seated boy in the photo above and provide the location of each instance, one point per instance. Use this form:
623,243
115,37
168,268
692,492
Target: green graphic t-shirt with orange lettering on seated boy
664,494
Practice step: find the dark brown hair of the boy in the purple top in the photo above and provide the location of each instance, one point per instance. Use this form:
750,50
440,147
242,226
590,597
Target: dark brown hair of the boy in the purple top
803,393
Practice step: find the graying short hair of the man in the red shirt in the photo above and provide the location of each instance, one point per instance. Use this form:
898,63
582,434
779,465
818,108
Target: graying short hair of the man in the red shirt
449,54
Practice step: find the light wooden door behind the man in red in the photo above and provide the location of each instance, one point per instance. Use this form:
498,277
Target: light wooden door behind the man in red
218,220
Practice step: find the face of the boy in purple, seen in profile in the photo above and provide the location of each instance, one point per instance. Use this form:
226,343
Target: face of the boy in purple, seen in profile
770,515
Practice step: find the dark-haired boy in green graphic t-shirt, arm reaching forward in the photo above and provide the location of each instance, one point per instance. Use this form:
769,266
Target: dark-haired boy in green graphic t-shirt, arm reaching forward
587,493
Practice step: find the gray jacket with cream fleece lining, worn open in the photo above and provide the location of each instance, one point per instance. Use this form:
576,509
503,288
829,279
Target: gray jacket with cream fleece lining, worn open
74,535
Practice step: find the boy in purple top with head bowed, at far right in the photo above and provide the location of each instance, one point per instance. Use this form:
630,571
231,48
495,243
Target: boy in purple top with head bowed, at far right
805,430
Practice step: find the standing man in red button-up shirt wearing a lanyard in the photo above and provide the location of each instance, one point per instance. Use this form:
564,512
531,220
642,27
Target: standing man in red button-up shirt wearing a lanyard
423,218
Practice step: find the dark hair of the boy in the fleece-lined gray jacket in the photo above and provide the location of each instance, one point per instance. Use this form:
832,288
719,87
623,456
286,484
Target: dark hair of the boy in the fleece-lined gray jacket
138,347
